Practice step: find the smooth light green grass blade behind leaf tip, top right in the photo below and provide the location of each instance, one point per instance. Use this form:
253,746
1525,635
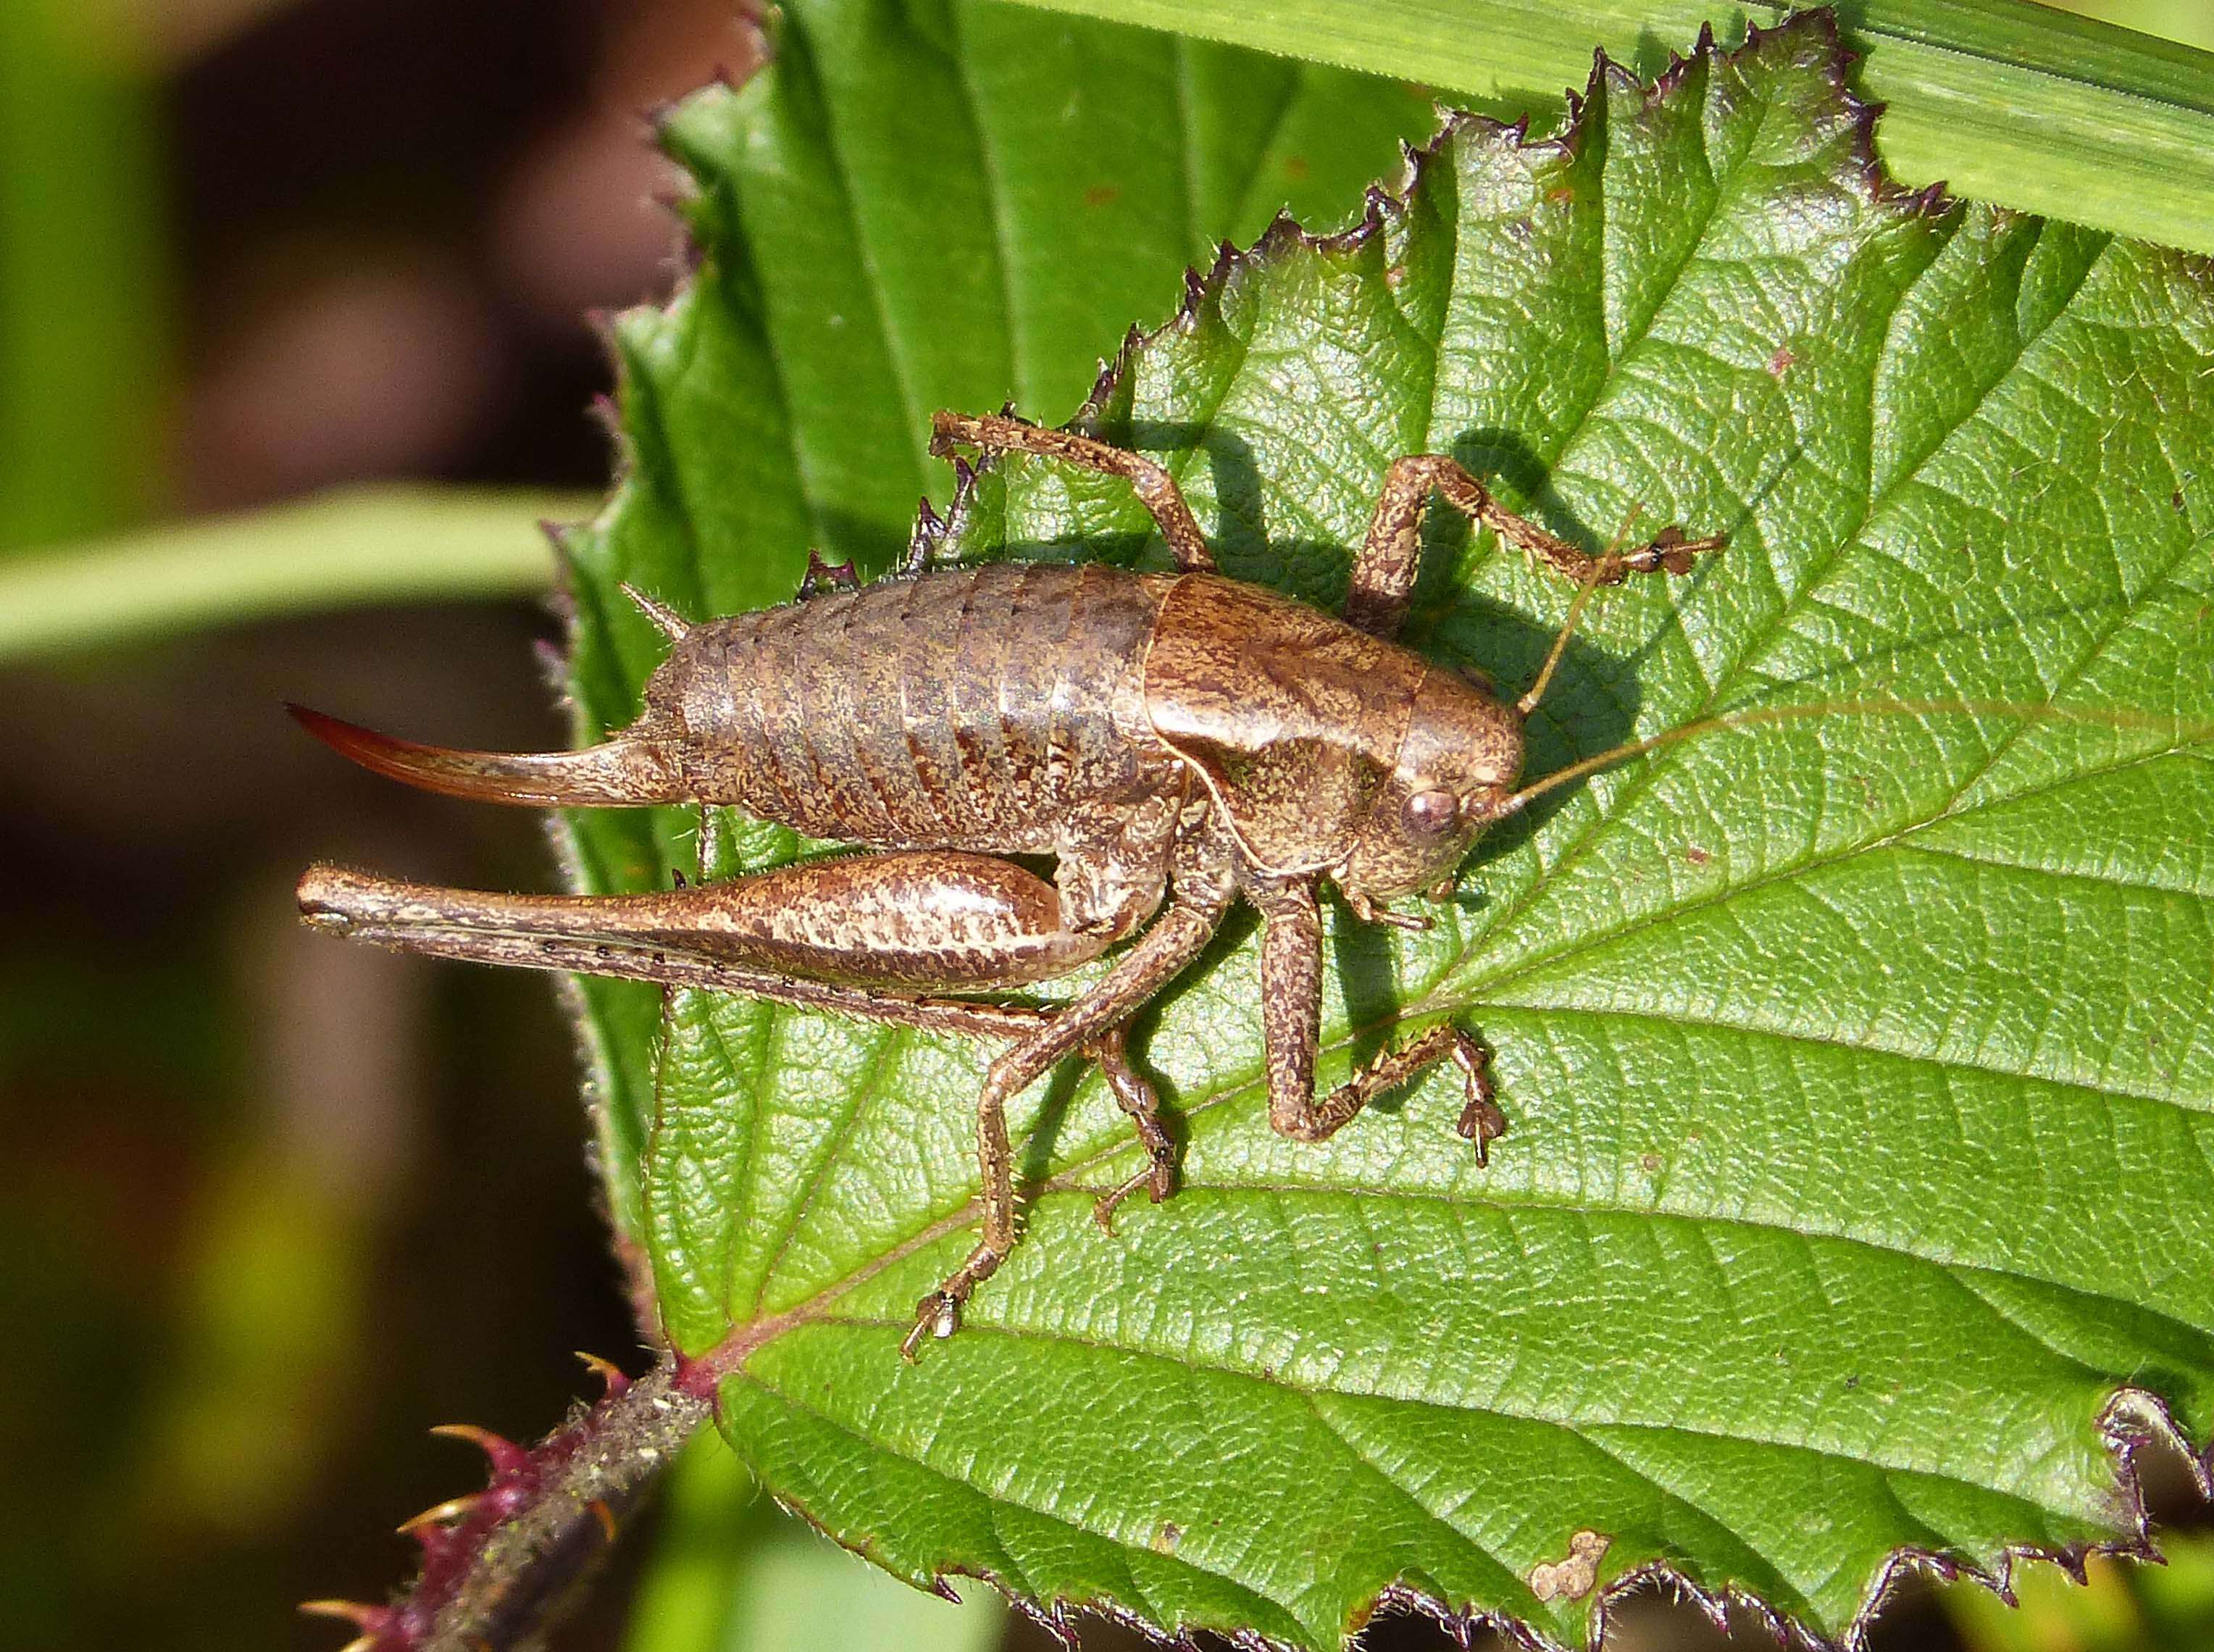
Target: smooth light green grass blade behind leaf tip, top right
2009,101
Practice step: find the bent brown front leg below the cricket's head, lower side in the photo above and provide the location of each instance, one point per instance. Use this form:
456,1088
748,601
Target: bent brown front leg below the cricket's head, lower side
1292,1020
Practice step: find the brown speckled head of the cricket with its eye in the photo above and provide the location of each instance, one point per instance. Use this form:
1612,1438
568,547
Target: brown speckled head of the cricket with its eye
1453,776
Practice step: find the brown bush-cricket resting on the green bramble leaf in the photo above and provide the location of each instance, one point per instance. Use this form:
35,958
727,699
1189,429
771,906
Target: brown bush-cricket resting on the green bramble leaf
1175,741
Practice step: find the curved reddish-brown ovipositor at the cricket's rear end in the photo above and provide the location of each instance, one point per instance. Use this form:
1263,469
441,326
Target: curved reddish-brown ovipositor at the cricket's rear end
628,770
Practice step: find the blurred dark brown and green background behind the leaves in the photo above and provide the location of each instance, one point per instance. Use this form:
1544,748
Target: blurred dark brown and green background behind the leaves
271,1206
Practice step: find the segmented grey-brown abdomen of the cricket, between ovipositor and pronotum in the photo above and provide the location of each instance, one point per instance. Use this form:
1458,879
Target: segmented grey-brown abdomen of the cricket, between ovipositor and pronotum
962,710
